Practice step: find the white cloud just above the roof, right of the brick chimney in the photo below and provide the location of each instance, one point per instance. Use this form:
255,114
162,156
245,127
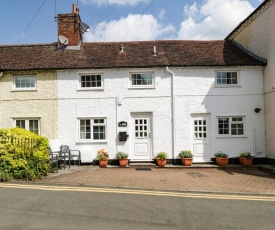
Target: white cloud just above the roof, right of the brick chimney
131,28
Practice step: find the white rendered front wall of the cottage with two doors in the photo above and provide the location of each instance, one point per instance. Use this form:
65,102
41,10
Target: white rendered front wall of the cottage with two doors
195,93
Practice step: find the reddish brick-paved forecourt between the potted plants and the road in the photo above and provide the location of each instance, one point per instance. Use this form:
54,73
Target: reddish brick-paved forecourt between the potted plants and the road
208,178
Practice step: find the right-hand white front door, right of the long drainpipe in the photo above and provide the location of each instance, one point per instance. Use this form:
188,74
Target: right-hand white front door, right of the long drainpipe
201,132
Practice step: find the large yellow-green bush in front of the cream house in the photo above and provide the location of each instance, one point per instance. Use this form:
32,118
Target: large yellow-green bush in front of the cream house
23,155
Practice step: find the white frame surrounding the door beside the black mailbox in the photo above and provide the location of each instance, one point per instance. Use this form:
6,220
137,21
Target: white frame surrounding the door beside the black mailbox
132,135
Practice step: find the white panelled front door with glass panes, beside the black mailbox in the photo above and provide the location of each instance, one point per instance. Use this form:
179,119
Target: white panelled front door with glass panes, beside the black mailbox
141,133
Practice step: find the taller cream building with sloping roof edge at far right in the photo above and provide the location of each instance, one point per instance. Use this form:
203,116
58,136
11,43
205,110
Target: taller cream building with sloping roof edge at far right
256,34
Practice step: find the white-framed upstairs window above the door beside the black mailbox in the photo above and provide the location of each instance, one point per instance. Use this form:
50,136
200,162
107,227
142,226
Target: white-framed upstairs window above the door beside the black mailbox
142,80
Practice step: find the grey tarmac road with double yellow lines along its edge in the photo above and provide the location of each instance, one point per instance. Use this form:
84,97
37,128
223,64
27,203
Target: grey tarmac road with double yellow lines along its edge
44,207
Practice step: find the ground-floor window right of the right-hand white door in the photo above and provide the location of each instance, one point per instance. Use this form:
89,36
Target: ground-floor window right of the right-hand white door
231,126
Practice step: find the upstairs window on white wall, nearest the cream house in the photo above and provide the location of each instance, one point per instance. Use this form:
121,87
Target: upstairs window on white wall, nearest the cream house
92,81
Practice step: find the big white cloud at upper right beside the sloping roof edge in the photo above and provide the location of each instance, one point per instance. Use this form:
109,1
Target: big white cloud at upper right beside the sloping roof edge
214,19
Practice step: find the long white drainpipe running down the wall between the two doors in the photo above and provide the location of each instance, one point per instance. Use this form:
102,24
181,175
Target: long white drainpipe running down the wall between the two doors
172,112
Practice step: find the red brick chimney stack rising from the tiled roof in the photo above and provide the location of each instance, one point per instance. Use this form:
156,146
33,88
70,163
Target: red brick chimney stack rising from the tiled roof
69,26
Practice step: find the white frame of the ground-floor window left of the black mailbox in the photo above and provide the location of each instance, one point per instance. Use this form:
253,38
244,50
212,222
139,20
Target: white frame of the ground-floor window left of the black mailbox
92,125
